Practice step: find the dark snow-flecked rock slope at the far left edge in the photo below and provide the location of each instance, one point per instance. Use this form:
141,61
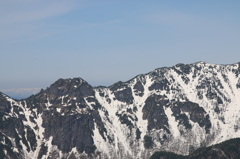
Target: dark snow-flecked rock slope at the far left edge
12,127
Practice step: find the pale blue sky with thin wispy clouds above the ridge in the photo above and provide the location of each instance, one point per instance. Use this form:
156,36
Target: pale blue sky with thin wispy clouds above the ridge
108,41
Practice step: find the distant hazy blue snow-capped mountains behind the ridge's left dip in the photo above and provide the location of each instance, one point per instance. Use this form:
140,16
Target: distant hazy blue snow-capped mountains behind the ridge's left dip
21,93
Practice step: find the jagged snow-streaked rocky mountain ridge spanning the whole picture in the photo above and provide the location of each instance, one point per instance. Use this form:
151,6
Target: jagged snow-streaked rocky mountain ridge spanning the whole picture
174,109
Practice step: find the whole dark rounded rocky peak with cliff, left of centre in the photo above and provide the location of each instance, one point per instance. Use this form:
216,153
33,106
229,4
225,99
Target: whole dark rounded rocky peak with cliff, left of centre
73,125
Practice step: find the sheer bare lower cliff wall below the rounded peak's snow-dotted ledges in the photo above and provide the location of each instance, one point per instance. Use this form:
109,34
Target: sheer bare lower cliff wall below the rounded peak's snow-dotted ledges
70,131
